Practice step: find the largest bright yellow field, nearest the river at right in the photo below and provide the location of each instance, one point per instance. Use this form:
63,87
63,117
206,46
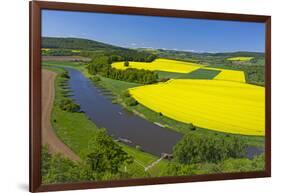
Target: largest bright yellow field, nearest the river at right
225,106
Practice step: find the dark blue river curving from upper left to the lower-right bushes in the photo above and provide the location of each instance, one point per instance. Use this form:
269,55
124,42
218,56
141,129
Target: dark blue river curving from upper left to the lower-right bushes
121,124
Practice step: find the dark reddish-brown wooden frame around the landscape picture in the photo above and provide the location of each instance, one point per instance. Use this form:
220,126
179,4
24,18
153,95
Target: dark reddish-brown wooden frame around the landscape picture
35,93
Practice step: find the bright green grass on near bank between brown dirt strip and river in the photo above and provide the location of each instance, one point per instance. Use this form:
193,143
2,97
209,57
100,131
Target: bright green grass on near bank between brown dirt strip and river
76,134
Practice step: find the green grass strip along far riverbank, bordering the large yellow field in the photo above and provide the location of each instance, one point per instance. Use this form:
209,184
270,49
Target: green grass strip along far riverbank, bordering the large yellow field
118,87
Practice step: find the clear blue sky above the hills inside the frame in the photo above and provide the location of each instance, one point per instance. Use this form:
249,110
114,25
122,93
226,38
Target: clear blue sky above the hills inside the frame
156,32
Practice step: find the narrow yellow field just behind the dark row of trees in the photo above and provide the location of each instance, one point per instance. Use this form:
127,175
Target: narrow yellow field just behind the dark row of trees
161,65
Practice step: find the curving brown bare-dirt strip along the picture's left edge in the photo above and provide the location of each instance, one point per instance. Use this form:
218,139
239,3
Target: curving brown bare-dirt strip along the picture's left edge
48,134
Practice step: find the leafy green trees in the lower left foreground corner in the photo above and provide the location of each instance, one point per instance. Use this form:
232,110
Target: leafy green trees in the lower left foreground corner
105,162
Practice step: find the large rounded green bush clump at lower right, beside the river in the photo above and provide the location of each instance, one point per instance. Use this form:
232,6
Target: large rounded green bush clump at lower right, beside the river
197,149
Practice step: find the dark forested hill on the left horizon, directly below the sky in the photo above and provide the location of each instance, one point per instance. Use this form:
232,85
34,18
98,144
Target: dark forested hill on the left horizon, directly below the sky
76,43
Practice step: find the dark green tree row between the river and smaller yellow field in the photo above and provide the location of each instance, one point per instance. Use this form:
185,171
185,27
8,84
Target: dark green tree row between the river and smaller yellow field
102,65
